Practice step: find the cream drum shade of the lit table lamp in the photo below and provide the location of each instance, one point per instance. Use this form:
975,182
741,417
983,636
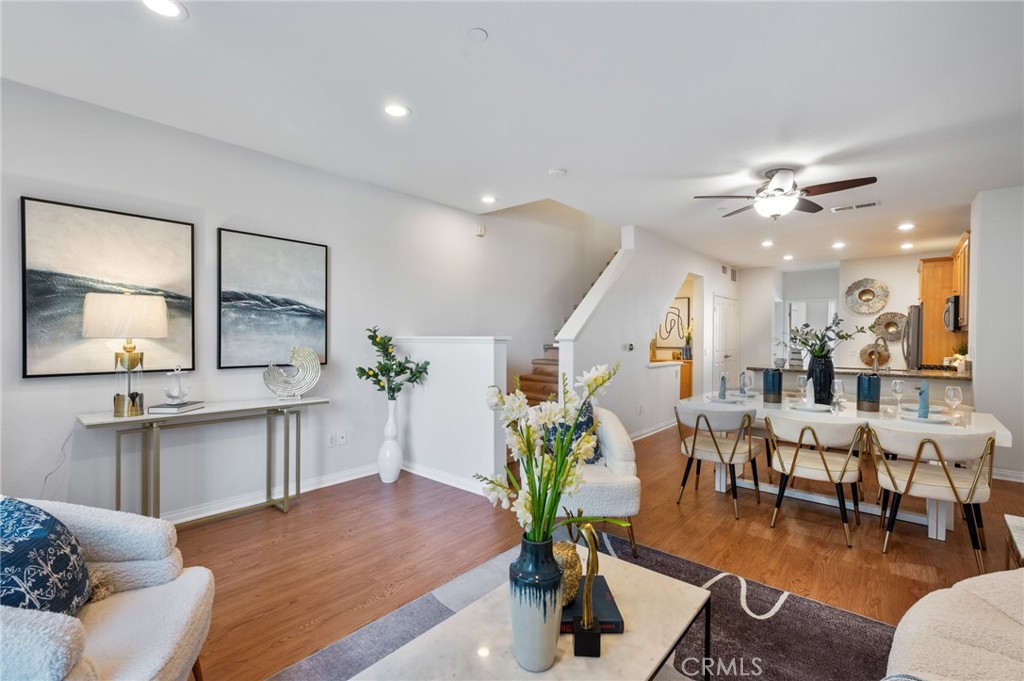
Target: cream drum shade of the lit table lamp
124,316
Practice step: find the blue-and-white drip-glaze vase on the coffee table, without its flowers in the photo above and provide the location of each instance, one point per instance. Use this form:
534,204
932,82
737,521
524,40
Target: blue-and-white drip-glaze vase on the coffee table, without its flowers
536,606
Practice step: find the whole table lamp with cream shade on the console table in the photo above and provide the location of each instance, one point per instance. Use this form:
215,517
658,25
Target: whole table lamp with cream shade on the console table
129,317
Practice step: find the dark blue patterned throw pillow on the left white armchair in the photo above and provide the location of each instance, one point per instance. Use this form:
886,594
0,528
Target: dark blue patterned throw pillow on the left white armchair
44,568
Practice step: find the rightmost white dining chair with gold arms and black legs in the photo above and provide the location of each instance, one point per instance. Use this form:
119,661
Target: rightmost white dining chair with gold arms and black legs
954,466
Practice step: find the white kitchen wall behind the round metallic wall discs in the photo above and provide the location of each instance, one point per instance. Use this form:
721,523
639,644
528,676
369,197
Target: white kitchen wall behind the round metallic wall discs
900,273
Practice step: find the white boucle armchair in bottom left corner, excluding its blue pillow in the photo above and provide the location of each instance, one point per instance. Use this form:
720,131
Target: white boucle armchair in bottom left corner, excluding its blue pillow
148,620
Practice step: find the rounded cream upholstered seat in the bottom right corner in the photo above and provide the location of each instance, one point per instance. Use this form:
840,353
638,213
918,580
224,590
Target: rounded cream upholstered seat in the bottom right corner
973,631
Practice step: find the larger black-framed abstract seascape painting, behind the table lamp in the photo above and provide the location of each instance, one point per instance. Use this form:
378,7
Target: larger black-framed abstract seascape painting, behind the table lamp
70,250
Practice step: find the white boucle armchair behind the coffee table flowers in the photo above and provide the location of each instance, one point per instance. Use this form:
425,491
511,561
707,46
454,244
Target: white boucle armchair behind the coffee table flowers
610,487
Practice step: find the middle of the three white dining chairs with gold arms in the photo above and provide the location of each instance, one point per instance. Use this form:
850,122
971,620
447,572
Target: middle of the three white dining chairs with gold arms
801,450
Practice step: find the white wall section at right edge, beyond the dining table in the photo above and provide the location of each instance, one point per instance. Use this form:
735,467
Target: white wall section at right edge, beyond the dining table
997,305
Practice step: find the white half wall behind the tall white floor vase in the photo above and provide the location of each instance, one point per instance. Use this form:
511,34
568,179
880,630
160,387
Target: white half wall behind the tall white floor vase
446,430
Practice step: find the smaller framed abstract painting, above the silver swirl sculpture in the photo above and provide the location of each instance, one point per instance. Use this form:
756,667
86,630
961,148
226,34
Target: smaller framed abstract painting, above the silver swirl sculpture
273,296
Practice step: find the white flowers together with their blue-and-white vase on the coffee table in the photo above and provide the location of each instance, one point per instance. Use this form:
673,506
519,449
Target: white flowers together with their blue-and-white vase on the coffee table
548,443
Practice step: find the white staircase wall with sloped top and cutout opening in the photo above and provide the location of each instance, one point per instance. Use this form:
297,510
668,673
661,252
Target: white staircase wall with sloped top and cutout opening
629,313
